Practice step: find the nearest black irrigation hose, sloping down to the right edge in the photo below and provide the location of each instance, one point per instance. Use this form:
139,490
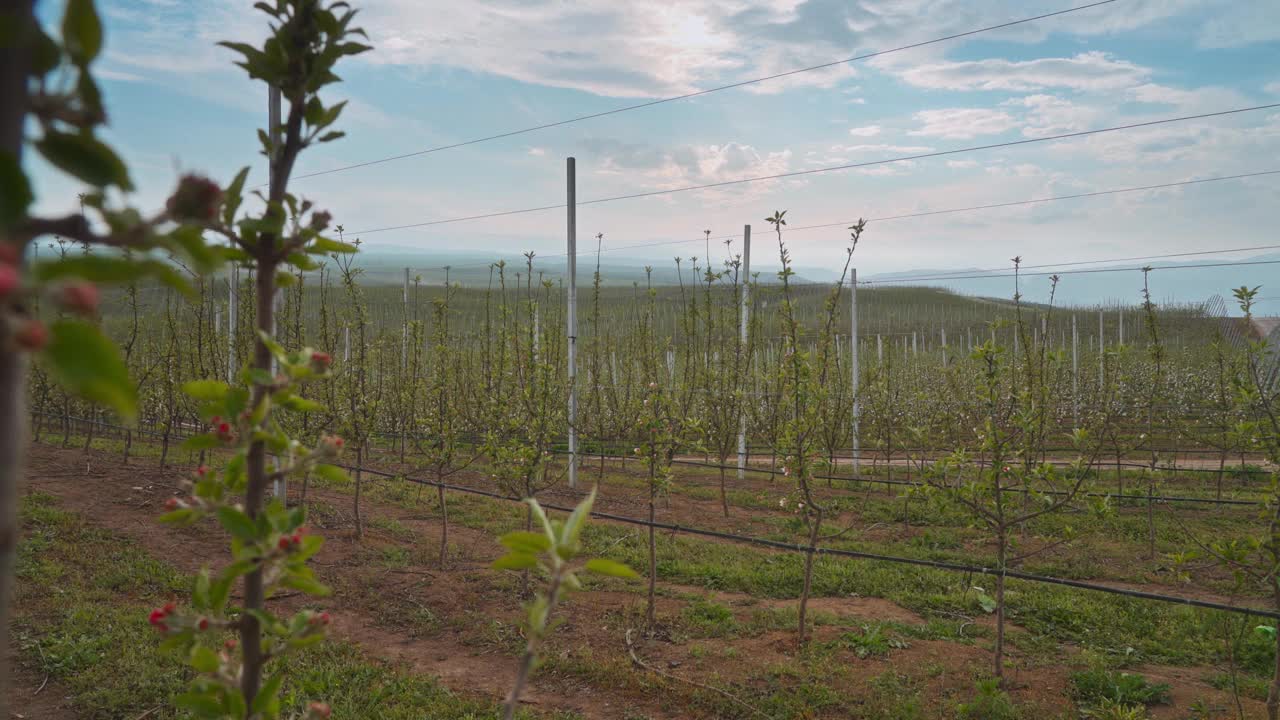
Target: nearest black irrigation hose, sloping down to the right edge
853,554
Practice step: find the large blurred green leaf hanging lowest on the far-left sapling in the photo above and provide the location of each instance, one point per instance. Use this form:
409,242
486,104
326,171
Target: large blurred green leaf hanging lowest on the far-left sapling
90,366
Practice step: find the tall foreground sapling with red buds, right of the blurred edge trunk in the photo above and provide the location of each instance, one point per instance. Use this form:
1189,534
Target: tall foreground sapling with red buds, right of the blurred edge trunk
269,544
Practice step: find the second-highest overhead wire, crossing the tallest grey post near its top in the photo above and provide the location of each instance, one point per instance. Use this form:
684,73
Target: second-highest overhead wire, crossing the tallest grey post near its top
833,168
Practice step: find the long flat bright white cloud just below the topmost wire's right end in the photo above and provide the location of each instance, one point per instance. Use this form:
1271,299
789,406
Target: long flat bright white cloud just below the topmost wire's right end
1087,71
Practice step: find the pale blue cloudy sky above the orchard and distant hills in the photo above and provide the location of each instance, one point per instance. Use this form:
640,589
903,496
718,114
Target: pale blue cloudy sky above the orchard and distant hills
446,72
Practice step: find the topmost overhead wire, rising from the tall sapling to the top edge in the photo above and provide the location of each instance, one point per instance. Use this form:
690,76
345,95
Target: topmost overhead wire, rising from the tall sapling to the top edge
702,93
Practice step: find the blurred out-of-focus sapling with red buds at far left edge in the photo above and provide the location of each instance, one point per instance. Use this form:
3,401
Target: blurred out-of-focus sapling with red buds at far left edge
51,103
